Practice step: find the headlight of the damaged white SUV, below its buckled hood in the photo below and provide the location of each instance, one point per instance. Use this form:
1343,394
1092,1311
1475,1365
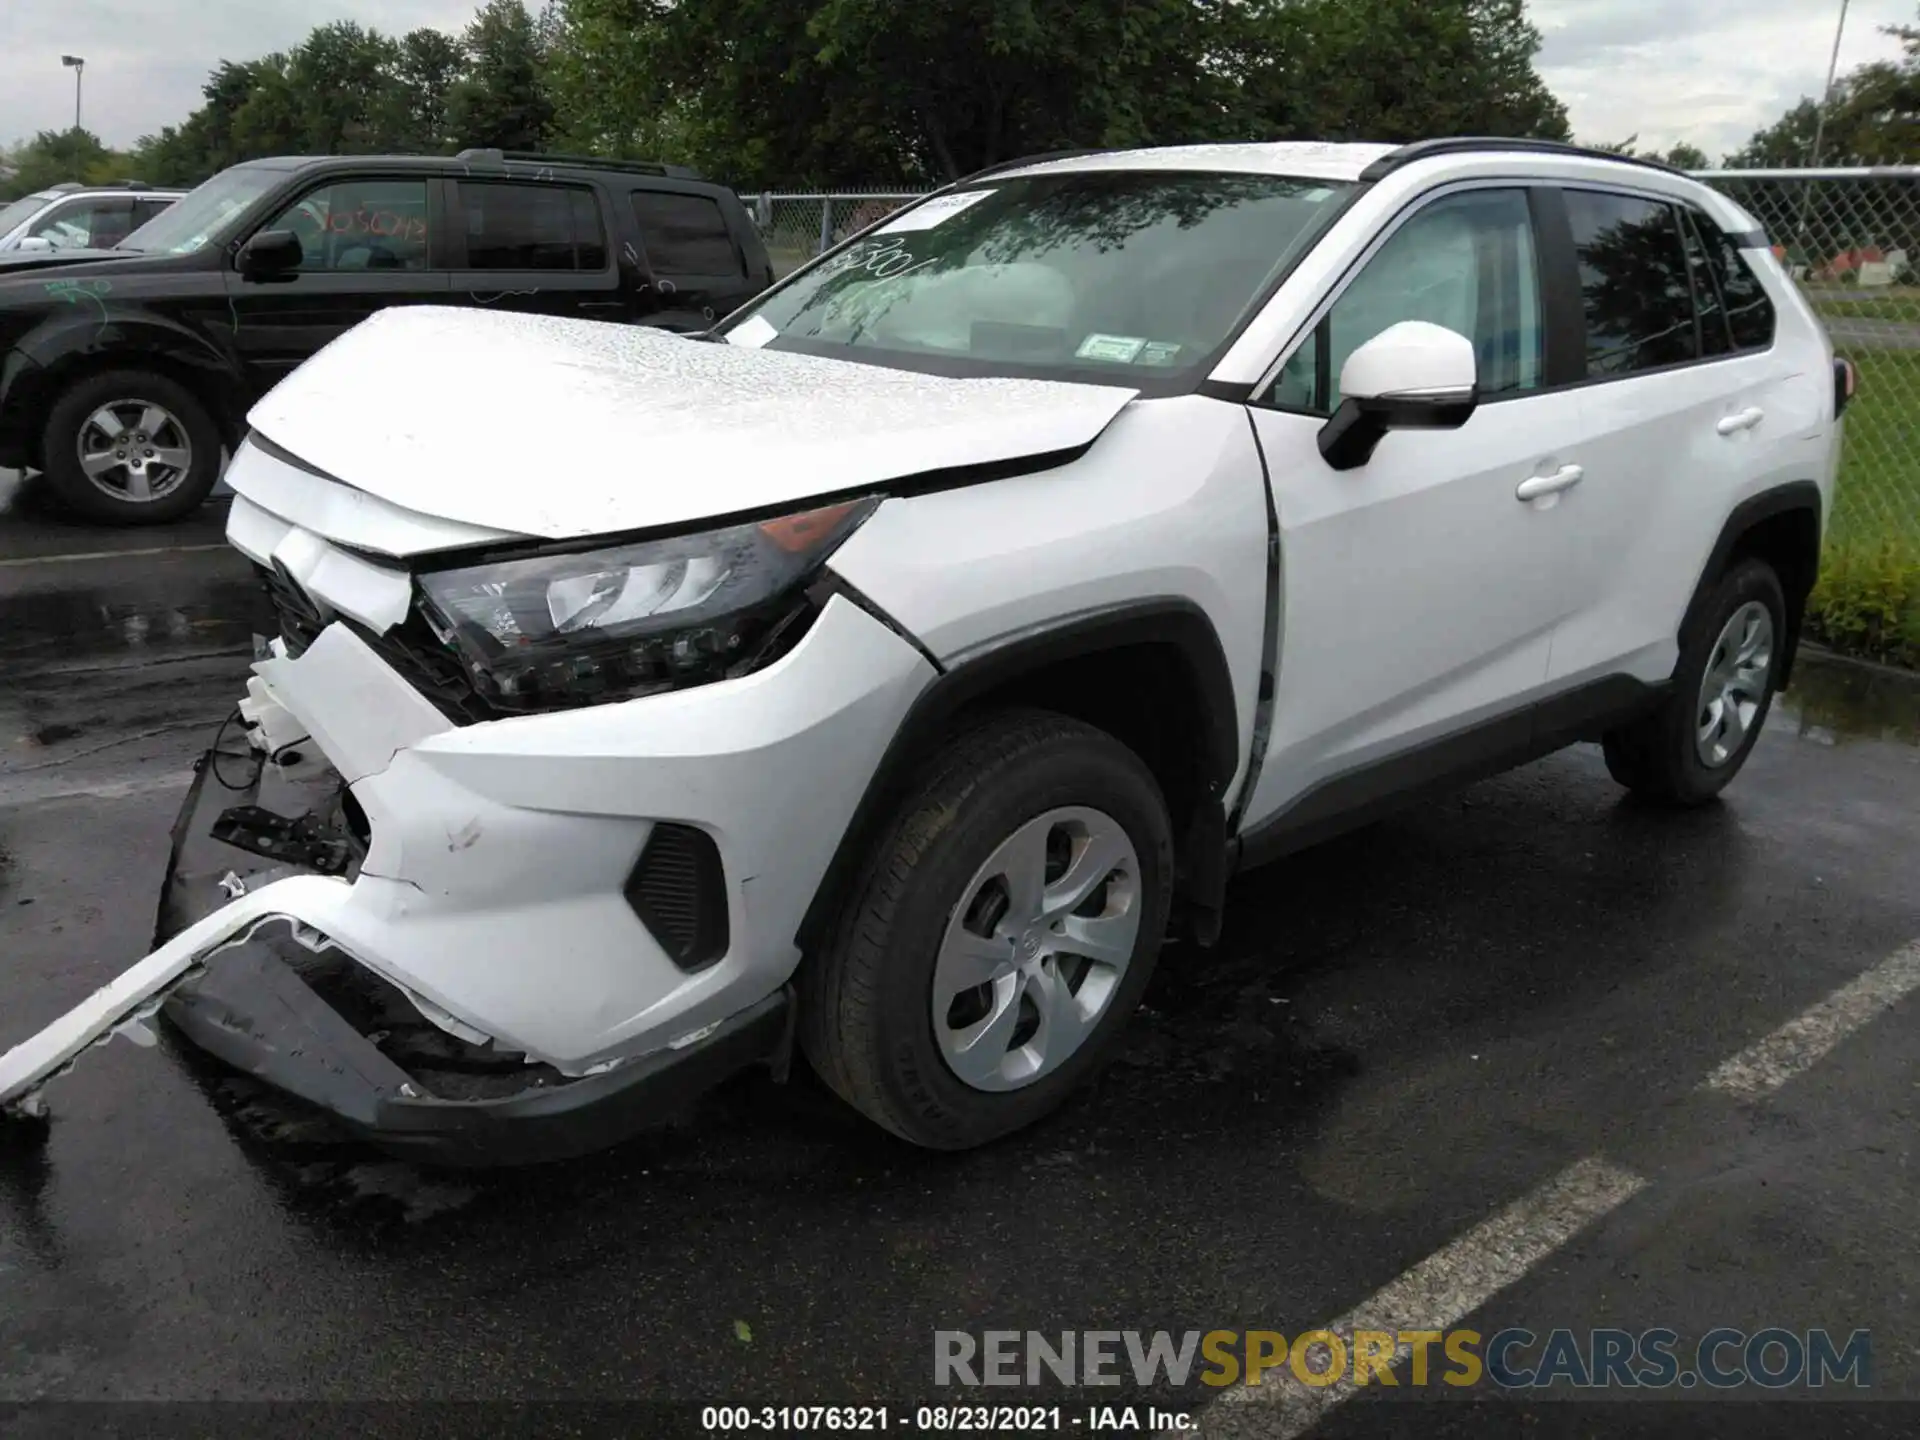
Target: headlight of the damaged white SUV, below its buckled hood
560,631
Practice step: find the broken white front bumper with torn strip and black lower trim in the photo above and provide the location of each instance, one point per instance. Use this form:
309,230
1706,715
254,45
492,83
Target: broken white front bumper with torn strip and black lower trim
464,940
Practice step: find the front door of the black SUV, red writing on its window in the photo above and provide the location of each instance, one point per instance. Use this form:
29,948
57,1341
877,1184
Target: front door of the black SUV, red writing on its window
368,241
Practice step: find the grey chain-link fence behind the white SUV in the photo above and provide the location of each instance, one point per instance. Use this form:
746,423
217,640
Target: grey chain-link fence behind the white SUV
1850,239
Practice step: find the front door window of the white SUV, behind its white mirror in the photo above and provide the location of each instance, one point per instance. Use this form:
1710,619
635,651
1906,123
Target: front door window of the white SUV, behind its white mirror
1466,262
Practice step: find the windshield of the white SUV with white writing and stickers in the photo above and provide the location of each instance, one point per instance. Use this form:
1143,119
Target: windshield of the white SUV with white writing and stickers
1109,276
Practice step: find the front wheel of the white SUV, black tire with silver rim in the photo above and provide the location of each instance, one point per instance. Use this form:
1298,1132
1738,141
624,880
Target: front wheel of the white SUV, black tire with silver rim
867,999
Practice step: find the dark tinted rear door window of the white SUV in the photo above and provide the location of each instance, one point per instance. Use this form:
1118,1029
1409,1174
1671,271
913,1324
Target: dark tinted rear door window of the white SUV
1633,281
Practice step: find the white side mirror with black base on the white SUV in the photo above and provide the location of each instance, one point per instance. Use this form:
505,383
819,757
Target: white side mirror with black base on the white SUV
1410,377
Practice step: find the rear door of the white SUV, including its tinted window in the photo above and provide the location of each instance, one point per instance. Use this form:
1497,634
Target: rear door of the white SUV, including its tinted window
1675,420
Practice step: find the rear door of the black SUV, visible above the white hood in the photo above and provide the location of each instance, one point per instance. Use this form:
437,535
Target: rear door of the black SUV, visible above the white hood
535,247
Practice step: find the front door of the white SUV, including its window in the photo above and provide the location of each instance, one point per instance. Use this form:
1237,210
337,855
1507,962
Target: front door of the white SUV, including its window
1418,592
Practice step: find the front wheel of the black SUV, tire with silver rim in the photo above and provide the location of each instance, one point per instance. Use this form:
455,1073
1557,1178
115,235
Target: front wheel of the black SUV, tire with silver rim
185,431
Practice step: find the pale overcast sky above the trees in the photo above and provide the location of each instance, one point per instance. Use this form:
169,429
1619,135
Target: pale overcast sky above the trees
1708,72
